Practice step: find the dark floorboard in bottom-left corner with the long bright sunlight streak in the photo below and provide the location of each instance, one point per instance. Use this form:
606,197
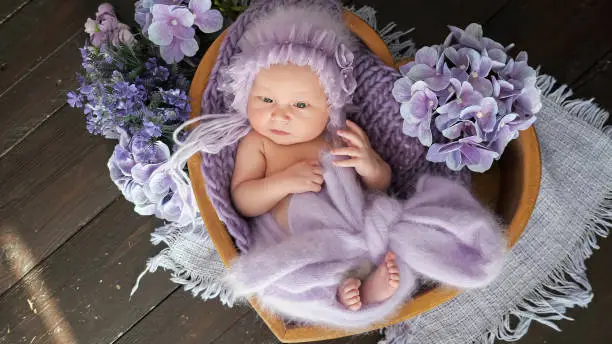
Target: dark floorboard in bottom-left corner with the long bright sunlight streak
80,293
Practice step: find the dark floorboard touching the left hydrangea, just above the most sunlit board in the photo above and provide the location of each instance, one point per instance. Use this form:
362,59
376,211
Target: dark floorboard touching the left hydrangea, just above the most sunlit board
53,183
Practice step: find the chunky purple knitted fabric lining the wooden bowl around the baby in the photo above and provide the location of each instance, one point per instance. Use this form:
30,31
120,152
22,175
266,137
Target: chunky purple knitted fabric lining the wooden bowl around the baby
378,115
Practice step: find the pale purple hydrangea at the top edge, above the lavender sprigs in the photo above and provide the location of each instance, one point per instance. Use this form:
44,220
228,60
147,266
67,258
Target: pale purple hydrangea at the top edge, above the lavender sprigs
169,24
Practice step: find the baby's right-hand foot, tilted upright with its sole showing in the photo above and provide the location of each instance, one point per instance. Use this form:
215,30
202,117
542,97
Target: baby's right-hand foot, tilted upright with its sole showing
383,282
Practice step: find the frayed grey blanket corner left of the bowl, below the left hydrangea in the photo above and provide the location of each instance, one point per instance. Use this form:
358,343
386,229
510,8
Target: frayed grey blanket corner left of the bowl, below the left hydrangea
206,287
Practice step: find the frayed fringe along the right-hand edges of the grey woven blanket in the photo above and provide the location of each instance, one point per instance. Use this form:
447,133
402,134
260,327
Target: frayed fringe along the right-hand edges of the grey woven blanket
568,285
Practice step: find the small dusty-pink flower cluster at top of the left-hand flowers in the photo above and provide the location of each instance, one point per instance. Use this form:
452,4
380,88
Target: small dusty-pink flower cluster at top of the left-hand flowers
106,28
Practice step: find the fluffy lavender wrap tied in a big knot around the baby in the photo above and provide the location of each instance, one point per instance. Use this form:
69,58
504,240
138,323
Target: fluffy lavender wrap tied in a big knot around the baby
441,233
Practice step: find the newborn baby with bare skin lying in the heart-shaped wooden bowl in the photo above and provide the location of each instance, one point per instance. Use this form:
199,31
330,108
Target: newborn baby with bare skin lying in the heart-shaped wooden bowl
288,112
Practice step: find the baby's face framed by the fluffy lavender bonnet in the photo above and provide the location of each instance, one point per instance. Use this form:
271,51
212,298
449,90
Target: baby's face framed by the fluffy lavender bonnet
287,104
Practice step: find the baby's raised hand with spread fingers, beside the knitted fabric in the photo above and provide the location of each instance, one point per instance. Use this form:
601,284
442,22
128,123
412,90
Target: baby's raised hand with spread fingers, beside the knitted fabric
363,158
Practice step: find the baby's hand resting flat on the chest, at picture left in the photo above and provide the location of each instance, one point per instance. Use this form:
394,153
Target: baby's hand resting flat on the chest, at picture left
304,176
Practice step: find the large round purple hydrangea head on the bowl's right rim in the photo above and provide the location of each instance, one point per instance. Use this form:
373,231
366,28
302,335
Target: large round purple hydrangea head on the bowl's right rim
470,91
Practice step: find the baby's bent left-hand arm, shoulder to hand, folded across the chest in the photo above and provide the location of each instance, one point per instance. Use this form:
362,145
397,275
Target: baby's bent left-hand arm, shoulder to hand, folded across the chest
255,194
